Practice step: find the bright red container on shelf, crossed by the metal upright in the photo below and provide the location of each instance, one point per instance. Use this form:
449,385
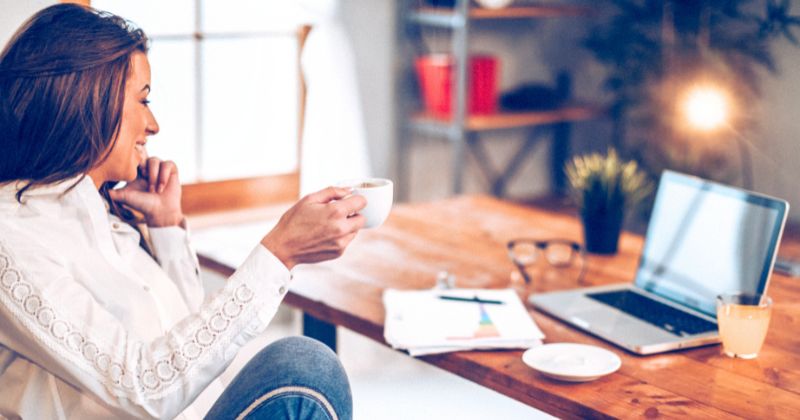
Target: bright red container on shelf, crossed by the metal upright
435,74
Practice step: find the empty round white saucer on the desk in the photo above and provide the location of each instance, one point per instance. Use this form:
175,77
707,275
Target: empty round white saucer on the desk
572,362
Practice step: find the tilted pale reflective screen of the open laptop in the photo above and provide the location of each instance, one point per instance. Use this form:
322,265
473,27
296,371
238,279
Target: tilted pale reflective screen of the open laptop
706,238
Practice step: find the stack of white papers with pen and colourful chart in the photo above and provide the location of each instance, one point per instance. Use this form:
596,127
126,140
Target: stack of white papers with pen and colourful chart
440,321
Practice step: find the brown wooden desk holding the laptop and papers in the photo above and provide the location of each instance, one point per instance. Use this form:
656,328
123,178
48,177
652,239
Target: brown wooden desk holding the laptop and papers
467,235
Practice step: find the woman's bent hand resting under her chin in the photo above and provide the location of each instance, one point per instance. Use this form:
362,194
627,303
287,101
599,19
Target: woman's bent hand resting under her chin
156,193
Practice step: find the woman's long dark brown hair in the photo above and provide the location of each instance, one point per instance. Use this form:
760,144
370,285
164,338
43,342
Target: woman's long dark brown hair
62,89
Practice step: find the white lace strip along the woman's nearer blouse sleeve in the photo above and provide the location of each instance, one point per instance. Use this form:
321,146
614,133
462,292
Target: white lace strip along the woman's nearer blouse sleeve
44,321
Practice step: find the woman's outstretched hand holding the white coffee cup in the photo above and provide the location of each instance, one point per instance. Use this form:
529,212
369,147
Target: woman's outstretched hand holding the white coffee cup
317,228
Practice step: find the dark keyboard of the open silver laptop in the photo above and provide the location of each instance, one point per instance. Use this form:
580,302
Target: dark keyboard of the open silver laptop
666,317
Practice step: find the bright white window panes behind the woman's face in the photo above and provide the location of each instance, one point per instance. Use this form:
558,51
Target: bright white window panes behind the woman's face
225,84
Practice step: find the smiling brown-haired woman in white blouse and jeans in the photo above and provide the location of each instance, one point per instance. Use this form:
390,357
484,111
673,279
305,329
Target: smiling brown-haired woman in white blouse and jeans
93,323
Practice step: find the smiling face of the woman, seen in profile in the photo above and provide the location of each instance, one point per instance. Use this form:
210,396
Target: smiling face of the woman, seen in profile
136,124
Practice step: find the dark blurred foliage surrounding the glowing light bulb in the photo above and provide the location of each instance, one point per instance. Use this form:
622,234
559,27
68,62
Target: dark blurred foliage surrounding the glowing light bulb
653,50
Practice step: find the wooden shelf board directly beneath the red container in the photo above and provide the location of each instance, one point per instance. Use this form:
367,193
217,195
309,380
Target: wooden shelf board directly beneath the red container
503,120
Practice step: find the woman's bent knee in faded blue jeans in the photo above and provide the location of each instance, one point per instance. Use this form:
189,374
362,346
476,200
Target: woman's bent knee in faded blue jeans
292,378
